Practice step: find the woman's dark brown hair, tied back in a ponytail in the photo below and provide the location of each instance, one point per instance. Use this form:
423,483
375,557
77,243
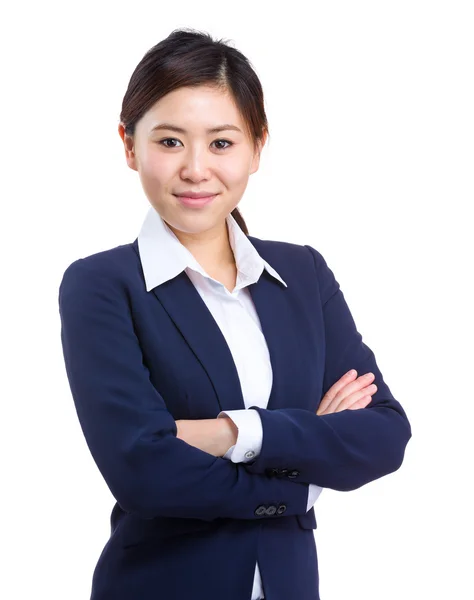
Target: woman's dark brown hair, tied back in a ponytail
189,58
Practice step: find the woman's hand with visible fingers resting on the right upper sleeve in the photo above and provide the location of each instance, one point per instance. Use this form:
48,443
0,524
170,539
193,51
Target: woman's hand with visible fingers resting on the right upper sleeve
350,392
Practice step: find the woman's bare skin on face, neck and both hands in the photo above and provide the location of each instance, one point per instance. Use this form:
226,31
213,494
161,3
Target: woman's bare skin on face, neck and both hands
170,162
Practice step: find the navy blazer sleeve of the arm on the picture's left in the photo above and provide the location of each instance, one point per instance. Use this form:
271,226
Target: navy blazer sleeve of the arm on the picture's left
128,429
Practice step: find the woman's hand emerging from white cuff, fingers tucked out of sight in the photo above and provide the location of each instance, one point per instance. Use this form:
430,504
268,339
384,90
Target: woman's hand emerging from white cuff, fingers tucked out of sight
214,436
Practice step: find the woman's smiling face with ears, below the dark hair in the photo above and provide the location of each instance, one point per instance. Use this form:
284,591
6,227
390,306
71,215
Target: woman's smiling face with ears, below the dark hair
170,162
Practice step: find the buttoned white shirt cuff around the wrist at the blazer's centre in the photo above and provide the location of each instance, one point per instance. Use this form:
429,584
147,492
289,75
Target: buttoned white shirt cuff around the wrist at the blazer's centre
249,437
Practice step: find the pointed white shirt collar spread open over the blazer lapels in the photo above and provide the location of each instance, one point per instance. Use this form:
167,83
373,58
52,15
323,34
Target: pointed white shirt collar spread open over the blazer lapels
157,240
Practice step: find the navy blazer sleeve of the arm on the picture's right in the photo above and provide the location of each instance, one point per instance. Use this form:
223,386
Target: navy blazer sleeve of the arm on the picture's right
342,450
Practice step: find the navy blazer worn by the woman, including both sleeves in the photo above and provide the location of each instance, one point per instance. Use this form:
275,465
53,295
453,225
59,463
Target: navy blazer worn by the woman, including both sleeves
187,525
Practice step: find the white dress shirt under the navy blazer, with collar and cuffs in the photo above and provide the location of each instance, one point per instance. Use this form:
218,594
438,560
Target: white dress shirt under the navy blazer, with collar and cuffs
163,257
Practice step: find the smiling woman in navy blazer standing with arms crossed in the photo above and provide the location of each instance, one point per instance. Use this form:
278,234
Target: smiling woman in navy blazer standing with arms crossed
219,379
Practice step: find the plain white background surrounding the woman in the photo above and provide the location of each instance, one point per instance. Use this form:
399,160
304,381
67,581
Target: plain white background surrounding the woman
370,160
